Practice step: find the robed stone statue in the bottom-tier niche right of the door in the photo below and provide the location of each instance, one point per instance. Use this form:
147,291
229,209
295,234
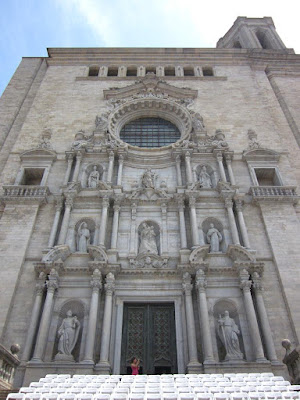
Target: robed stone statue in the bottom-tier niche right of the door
228,332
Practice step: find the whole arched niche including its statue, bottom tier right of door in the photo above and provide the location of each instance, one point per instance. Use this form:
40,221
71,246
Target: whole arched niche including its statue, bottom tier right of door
230,332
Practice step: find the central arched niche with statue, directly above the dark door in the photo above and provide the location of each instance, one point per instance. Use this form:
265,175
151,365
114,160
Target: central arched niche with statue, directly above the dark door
149,241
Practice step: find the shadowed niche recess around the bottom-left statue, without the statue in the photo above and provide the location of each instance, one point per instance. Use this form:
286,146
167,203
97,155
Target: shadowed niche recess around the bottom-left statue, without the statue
78,310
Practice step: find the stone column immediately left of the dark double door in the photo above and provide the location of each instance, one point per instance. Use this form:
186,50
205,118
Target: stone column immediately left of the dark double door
104,365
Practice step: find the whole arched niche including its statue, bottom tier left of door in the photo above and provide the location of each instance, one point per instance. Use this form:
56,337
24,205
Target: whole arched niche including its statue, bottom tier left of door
69,332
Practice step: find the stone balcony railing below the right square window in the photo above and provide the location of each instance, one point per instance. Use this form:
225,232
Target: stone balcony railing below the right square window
281,193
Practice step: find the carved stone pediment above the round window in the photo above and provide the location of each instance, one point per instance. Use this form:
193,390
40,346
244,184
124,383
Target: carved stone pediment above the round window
150,86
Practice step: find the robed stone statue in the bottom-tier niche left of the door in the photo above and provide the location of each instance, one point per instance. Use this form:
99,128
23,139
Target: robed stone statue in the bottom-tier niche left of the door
68,334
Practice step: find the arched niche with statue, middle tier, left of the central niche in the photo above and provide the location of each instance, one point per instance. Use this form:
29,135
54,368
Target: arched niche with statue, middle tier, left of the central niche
84,232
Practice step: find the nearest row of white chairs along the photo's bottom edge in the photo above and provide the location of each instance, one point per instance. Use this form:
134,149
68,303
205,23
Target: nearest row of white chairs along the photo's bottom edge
163,396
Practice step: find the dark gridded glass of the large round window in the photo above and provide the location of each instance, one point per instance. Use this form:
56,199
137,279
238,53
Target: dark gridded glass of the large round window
150,132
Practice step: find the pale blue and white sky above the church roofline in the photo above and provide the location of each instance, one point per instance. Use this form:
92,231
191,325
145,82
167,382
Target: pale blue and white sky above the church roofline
28,27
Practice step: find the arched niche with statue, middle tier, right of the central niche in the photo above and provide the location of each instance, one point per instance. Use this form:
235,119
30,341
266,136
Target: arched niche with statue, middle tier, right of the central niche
213,233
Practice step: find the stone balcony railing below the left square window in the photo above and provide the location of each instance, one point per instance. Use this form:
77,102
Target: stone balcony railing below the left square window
25,192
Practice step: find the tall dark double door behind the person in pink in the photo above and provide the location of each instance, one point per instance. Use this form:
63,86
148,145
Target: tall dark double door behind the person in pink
149,334
